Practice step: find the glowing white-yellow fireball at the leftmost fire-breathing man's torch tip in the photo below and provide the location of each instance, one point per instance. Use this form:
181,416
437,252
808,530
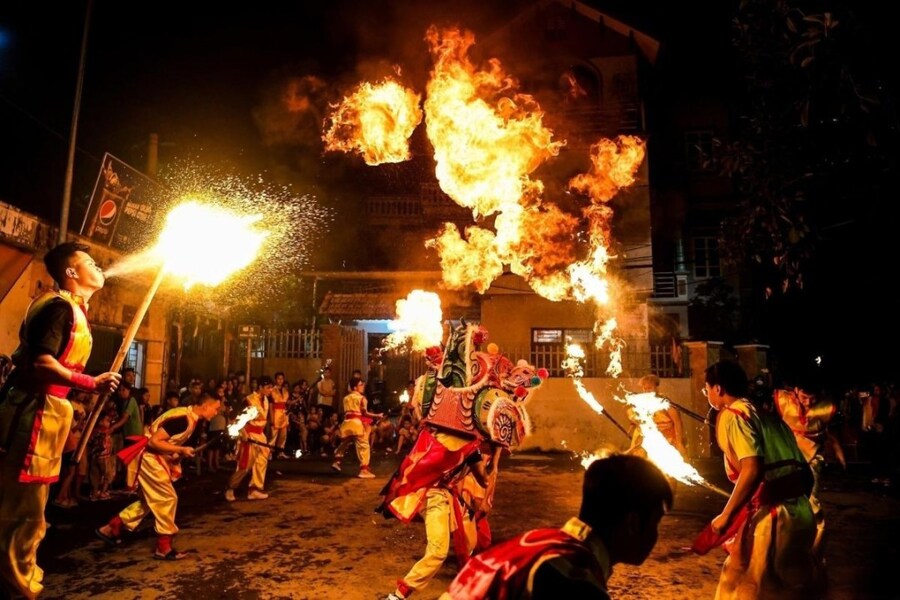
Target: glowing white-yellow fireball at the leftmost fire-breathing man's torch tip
197,260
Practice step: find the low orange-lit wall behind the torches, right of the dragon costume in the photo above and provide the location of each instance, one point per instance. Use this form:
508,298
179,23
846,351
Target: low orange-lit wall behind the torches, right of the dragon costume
561,420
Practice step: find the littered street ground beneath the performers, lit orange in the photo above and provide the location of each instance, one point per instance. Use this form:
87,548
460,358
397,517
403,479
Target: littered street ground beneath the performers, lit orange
316,537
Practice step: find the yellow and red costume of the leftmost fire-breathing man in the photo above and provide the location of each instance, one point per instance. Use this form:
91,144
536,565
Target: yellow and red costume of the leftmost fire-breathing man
34,423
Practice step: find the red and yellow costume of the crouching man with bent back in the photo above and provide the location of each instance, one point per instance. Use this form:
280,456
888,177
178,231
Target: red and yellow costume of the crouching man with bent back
154,473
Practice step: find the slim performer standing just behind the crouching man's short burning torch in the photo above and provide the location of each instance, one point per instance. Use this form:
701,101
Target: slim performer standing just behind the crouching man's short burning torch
253,457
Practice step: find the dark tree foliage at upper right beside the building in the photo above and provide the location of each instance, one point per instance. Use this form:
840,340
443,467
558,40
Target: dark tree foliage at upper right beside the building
805,148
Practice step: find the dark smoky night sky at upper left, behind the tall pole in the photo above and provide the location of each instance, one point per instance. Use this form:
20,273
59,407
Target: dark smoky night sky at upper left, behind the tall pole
189,71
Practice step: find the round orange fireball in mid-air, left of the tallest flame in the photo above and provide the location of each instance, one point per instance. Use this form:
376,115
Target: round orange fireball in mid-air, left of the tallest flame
375,121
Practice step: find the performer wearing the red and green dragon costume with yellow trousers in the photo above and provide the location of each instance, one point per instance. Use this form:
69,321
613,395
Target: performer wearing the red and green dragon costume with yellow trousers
471,401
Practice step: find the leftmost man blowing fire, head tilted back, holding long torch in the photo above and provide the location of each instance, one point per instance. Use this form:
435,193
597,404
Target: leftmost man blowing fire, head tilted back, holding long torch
35,417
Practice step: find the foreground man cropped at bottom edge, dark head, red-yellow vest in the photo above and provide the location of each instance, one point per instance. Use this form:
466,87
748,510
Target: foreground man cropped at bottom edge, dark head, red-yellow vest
576,560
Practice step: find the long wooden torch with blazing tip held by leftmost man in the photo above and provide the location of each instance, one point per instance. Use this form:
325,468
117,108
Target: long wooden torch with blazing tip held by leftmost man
179,253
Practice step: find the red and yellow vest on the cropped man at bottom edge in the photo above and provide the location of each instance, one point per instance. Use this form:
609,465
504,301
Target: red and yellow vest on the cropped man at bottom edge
508,570
